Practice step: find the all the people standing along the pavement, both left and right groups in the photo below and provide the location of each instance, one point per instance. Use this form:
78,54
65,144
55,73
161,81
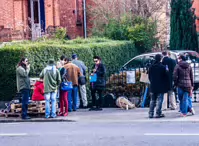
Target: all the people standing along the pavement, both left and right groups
165,76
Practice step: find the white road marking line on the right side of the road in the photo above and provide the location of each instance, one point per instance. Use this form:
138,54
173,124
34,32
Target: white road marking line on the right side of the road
171,134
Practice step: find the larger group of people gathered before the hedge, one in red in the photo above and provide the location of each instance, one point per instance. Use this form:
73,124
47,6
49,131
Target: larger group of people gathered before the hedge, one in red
53,80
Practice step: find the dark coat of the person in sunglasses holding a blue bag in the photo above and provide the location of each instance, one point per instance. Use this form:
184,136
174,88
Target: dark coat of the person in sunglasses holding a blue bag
101,82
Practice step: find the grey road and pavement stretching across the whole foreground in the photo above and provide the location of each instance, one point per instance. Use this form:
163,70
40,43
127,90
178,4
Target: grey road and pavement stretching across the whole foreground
110,127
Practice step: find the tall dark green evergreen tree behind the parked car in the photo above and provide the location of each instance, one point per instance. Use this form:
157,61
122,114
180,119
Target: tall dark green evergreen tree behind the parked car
183,35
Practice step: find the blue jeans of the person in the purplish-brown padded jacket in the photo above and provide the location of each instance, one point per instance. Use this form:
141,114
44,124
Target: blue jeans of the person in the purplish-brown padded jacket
183,97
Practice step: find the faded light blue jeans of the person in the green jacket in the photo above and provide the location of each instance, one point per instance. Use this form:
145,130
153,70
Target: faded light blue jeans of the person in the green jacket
50,97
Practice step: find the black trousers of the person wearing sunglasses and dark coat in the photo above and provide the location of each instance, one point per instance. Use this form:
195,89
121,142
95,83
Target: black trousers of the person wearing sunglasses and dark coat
98,102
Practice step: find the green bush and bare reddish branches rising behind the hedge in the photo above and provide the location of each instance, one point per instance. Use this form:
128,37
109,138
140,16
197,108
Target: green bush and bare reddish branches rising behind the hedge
118,19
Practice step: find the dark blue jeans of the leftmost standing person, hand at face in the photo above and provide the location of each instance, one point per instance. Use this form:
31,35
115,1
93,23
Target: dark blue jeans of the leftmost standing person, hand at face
25,97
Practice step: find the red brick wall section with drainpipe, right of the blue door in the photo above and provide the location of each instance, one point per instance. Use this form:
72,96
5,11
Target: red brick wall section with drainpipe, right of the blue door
68,17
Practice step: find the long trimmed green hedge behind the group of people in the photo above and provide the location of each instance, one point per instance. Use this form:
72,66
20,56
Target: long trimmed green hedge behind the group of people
114,54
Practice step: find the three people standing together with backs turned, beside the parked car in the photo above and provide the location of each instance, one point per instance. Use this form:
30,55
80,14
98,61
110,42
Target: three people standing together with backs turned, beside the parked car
166,76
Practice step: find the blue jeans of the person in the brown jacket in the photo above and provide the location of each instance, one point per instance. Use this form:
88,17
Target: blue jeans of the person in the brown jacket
72,98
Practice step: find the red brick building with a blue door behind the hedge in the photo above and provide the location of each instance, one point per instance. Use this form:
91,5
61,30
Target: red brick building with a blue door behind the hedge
29,19
